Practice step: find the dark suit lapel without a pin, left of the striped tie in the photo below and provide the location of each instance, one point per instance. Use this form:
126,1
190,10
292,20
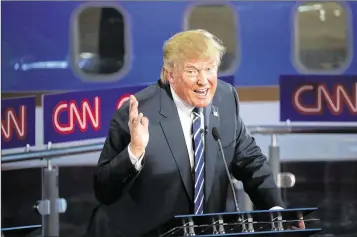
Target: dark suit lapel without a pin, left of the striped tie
171,126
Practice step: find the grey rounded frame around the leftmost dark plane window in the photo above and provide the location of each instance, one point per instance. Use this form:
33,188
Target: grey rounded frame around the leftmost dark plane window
74,45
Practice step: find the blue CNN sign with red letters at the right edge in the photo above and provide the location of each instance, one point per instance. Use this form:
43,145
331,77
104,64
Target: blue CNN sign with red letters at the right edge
318,98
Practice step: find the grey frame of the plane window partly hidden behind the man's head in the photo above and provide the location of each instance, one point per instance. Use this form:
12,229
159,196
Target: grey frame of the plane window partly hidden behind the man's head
237,61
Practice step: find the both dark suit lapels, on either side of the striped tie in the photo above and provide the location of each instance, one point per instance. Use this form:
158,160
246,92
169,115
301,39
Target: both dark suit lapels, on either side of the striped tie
171,126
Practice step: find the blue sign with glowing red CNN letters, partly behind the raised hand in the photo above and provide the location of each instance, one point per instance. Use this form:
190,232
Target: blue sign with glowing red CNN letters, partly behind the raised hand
82,115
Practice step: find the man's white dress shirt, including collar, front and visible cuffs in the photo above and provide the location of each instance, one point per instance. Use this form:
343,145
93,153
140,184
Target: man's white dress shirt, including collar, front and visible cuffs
186,117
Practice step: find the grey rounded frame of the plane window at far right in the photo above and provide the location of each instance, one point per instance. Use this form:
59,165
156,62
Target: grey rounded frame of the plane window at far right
295,44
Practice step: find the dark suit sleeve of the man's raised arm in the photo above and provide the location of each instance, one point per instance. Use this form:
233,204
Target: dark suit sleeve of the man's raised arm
115,172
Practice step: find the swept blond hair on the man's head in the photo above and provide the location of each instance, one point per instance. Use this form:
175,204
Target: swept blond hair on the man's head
191,44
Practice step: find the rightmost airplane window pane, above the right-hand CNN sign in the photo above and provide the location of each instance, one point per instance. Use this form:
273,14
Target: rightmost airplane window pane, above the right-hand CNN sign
321,37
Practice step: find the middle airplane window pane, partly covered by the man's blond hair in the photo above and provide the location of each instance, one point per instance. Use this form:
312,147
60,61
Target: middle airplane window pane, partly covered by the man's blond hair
220,20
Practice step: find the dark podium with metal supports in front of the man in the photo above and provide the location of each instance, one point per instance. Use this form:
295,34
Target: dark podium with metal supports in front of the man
253,223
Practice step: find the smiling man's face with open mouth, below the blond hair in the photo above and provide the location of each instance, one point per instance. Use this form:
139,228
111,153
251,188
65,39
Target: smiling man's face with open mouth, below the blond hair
195,81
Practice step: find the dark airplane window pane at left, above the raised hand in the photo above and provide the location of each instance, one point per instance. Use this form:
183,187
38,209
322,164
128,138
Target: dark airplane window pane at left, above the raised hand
100,41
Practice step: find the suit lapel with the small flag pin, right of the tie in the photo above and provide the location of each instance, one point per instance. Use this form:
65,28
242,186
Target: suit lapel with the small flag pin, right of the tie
211,147
